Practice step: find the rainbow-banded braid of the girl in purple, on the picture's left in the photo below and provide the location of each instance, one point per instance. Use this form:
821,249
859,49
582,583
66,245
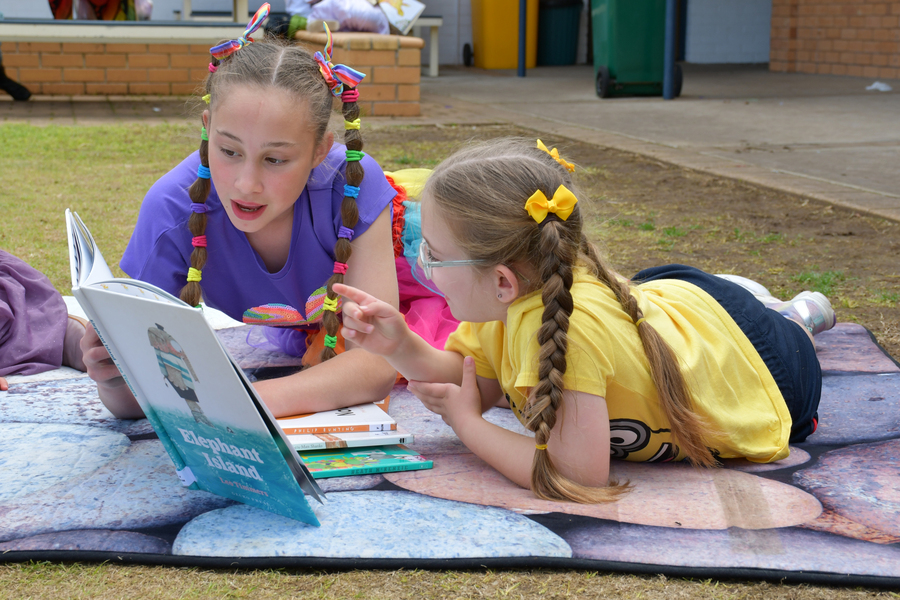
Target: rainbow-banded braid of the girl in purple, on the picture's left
198,193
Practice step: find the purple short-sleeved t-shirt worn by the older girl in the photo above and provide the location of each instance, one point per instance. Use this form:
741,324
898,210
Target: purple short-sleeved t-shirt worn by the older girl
235,279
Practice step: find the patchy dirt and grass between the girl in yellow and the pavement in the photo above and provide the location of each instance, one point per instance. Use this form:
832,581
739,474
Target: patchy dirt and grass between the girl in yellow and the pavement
645,213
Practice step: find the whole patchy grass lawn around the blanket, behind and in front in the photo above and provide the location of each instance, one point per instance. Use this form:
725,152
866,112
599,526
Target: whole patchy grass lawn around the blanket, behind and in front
642,213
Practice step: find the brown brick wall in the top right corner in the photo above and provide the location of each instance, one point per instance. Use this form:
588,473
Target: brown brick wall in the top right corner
836,37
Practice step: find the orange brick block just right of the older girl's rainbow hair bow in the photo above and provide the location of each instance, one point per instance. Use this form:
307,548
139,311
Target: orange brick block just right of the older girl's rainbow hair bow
392,65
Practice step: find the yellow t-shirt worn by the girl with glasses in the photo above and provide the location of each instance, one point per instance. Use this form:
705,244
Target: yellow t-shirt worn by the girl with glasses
730,384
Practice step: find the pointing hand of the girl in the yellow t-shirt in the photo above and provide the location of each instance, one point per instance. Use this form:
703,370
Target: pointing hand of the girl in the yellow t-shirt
373,325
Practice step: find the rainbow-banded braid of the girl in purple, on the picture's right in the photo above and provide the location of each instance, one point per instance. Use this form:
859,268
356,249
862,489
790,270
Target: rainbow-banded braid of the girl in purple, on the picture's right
349,216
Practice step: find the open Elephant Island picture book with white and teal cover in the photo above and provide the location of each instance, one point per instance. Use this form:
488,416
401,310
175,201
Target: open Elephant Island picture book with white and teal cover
216,429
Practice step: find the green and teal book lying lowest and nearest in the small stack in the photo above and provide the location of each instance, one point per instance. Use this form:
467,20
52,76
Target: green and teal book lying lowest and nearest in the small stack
337,463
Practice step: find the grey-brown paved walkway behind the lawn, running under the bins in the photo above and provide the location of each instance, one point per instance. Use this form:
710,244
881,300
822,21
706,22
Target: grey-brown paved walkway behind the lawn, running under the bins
820,136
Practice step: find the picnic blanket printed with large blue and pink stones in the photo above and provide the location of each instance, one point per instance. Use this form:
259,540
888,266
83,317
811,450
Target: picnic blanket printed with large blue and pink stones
78,484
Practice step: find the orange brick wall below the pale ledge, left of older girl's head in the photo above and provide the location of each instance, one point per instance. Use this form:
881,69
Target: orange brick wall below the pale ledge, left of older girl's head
75,69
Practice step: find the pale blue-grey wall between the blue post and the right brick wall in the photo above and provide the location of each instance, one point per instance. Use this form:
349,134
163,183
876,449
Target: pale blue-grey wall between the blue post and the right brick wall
728,31
